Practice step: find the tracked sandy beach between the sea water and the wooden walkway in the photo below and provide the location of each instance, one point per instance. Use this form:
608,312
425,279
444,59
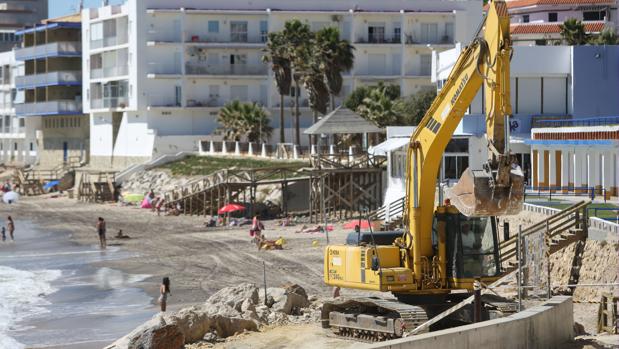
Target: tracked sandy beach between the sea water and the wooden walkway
198,260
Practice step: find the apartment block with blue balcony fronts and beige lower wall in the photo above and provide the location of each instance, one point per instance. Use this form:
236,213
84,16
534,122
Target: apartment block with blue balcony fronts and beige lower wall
52,92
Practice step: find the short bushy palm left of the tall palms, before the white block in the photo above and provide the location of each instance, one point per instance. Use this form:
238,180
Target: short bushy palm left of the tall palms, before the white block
244,120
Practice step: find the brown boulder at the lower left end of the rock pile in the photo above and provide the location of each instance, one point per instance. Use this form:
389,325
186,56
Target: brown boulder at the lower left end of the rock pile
161,336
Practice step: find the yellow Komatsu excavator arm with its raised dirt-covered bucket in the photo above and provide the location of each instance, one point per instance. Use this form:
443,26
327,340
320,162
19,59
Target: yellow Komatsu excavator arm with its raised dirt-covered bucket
496,189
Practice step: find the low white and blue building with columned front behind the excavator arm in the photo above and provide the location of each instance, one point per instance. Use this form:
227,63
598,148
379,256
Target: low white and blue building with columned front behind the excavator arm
568,86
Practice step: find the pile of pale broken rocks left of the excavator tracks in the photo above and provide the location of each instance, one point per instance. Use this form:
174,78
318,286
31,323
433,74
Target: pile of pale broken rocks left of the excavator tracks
228,312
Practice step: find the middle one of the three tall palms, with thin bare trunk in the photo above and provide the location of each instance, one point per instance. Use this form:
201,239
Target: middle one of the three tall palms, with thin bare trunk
297,37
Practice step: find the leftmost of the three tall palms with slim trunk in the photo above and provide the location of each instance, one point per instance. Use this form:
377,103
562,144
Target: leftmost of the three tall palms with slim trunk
277,55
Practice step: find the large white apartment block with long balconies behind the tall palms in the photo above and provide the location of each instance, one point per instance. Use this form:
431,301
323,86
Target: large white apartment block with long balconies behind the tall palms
156,72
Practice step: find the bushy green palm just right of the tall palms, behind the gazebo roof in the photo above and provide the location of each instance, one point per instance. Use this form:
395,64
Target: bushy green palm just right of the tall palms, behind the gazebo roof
379,108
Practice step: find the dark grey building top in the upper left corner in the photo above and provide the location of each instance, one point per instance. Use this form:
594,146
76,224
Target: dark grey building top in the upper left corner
17,14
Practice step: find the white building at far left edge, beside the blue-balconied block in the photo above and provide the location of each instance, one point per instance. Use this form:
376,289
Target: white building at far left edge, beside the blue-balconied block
18,145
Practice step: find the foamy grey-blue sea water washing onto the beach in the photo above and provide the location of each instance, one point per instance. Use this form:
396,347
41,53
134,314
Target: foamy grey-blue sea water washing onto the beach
53,294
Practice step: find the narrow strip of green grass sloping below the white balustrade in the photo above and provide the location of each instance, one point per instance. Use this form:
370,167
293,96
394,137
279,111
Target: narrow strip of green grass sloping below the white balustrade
205,165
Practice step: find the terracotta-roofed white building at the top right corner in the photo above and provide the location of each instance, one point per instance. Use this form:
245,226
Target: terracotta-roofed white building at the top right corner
536,22
